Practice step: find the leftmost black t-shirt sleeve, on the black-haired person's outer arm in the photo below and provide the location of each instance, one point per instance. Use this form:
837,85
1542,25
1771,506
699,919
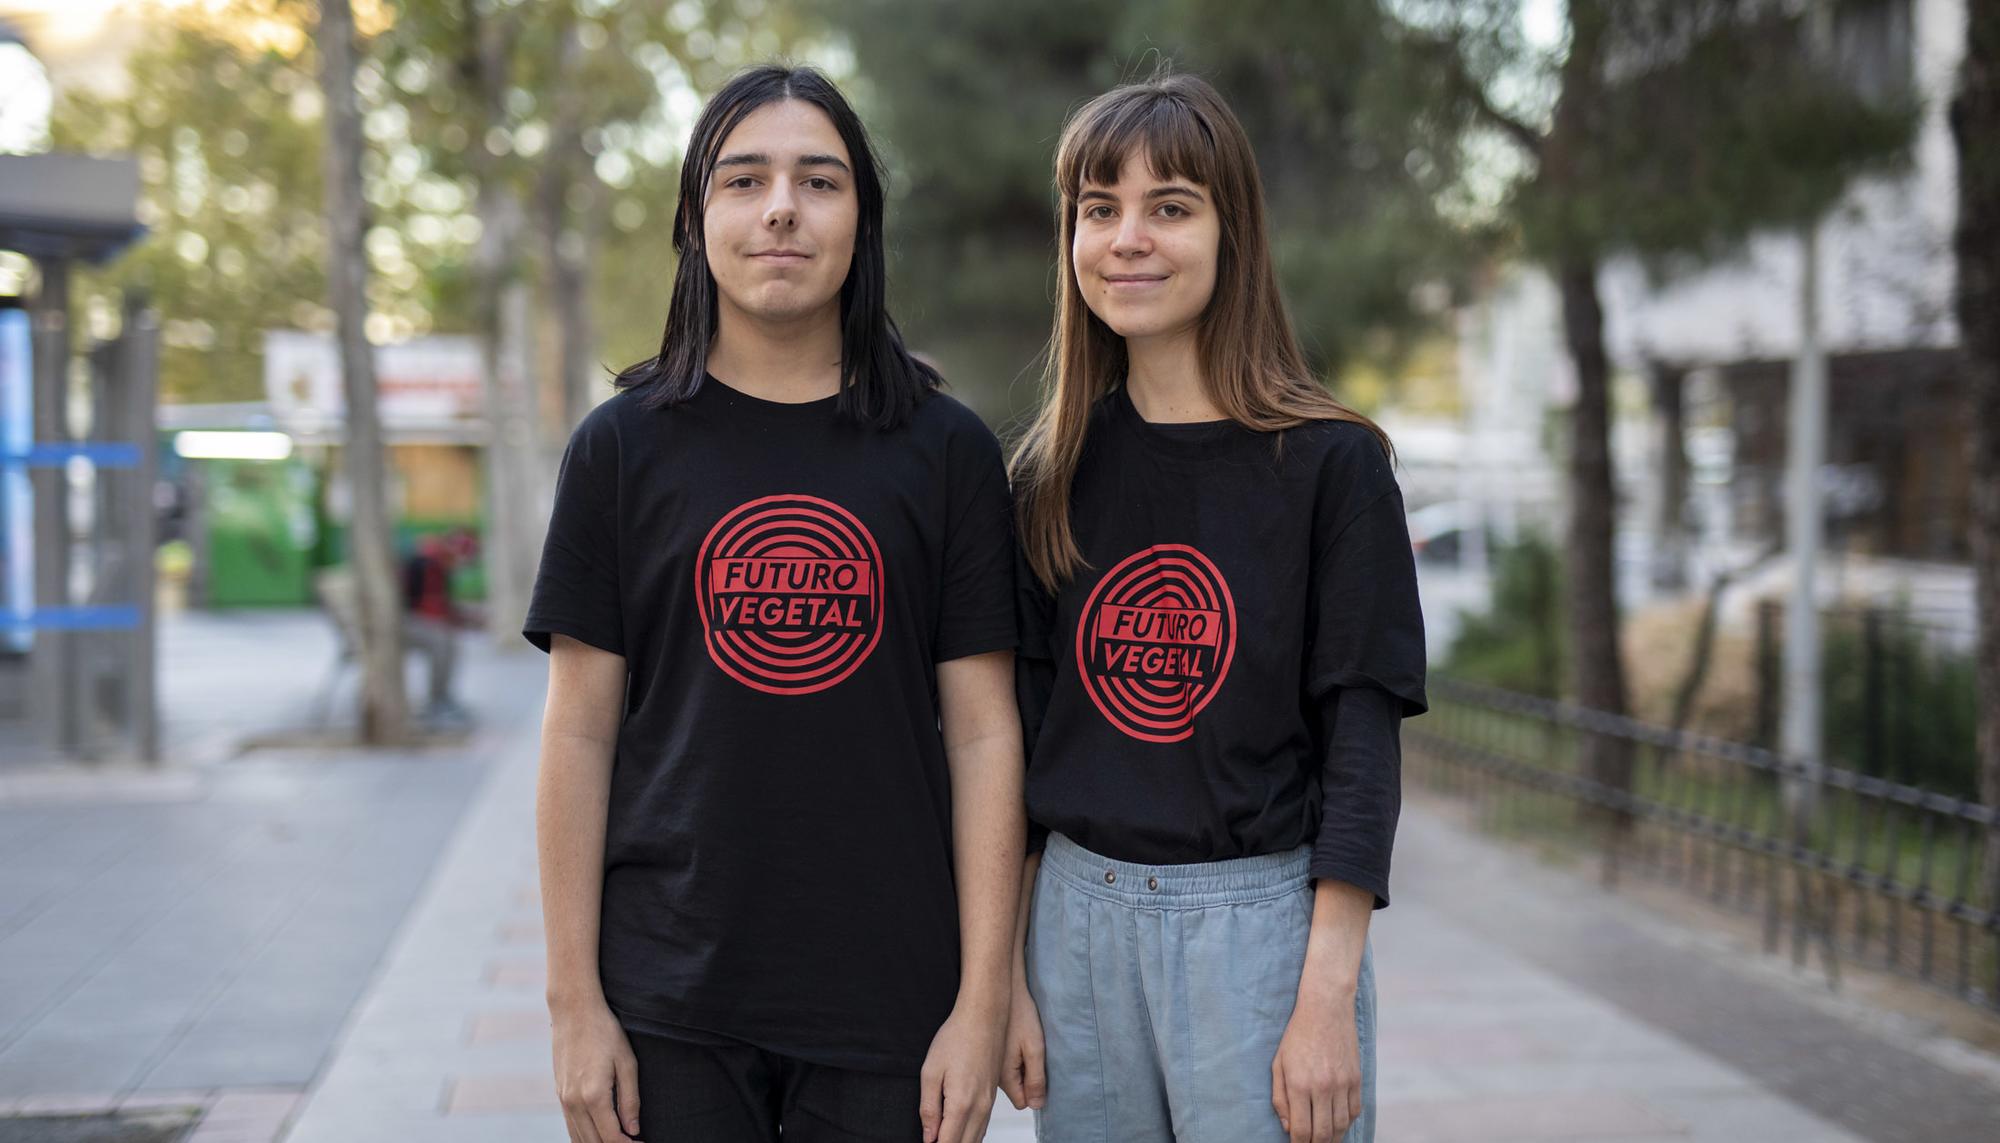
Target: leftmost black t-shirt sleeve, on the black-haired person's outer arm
577,586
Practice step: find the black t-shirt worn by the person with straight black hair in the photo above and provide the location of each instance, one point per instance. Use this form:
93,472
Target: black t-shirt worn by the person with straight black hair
781,584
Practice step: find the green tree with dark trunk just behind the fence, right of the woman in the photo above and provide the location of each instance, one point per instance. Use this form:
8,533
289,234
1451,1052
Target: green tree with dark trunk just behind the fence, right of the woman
1665,129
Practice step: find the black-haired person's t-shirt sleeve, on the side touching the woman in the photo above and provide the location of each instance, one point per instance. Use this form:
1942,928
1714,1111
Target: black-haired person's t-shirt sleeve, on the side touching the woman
977,608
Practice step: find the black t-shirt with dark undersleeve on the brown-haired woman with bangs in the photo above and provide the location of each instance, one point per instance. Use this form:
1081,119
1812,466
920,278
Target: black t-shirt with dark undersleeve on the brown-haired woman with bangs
1229,674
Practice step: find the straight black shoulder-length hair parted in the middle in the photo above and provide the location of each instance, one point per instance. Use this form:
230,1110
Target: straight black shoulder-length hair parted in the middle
881,383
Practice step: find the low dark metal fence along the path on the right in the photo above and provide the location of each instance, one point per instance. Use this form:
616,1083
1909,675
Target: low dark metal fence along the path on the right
1873,872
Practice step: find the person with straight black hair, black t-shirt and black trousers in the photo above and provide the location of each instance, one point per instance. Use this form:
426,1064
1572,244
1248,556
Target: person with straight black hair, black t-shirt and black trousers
779,804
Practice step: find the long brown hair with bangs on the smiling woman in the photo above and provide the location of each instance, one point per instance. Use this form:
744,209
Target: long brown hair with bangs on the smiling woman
1251,363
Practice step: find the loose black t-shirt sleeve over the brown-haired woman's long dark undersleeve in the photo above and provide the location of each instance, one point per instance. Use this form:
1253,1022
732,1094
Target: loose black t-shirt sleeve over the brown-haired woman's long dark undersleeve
1365,618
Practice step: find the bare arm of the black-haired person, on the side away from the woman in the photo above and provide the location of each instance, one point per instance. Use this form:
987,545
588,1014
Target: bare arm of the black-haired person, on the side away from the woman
597,1076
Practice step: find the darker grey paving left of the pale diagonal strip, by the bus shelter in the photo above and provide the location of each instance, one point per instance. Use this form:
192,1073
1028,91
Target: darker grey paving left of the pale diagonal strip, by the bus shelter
191,938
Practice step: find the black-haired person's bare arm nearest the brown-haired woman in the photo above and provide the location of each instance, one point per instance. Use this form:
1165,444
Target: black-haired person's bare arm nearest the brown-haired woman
983,750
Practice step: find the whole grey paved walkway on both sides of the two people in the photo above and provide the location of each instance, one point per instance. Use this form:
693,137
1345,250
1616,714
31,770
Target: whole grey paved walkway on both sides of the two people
345,948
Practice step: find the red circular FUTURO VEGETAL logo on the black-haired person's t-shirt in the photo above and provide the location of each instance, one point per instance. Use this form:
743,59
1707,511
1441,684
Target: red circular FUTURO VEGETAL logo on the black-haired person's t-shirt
791,594
